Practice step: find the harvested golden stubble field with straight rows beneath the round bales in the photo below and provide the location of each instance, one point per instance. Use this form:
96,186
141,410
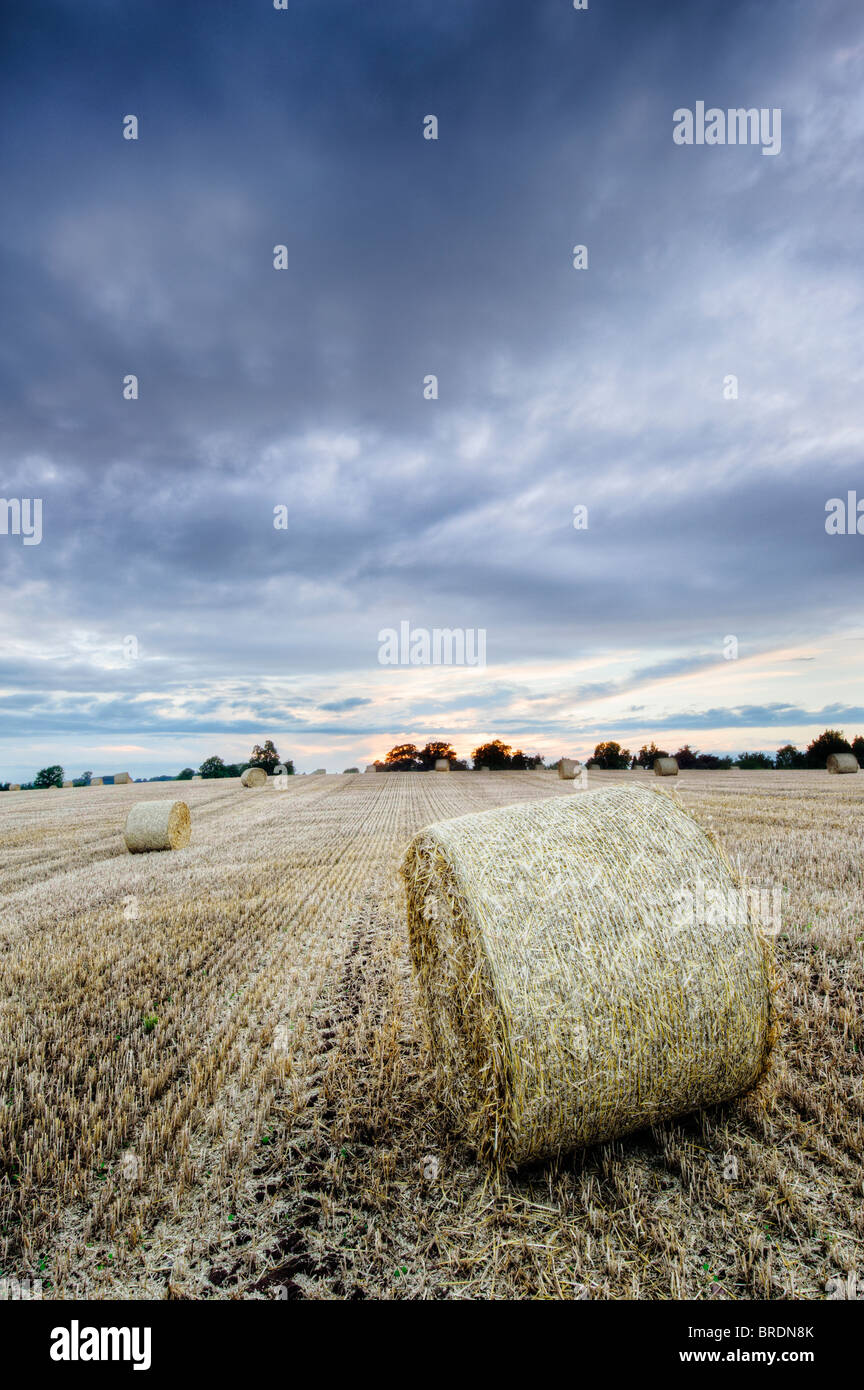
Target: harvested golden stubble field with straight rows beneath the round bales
215,1081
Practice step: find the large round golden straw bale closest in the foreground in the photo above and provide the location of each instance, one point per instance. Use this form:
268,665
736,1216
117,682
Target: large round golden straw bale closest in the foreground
588,967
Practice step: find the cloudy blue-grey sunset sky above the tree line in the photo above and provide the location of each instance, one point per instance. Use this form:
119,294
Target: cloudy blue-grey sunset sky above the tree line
163,616
